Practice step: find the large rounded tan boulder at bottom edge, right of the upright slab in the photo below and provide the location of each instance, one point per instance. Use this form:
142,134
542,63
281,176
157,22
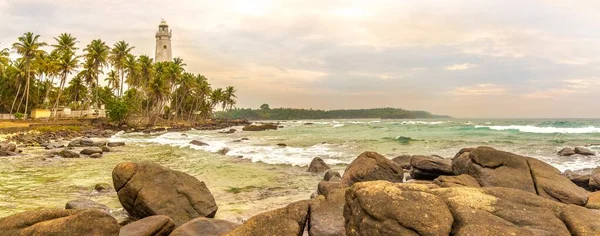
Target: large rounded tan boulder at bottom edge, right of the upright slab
384,208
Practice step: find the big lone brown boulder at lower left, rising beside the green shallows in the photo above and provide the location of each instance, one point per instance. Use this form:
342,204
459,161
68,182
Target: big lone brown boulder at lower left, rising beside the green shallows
147,189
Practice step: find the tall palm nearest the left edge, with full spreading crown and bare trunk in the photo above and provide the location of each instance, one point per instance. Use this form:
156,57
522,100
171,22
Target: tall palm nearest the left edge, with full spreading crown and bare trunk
29,47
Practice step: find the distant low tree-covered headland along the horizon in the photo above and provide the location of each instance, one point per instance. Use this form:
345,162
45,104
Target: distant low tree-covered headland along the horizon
266,113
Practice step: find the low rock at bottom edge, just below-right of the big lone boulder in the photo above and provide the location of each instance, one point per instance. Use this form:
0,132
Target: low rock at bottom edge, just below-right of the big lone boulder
205,227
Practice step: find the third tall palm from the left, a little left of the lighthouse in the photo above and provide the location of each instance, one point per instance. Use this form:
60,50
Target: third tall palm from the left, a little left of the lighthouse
96,53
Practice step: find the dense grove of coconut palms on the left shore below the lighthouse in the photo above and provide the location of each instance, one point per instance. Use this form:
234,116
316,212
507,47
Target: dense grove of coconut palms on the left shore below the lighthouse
65,76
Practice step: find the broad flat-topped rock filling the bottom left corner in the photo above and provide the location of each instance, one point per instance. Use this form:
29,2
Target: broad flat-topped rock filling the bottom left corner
60,223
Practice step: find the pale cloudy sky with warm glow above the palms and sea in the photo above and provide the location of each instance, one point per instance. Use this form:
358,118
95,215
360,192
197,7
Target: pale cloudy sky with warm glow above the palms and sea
464,58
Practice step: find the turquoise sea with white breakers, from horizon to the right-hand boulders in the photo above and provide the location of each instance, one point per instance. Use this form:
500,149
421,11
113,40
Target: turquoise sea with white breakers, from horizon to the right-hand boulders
340,141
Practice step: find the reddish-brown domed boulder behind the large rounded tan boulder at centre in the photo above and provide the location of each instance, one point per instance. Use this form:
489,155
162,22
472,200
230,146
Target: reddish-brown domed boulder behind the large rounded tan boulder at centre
370,166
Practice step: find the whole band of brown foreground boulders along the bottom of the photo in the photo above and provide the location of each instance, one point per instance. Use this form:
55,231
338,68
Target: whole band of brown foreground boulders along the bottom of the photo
481,191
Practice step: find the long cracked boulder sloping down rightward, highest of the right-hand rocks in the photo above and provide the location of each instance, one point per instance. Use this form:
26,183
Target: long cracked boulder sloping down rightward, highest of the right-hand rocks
493,168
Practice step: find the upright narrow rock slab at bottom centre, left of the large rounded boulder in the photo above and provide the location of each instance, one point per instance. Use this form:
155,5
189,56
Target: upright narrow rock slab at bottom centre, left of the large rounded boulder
327,214
